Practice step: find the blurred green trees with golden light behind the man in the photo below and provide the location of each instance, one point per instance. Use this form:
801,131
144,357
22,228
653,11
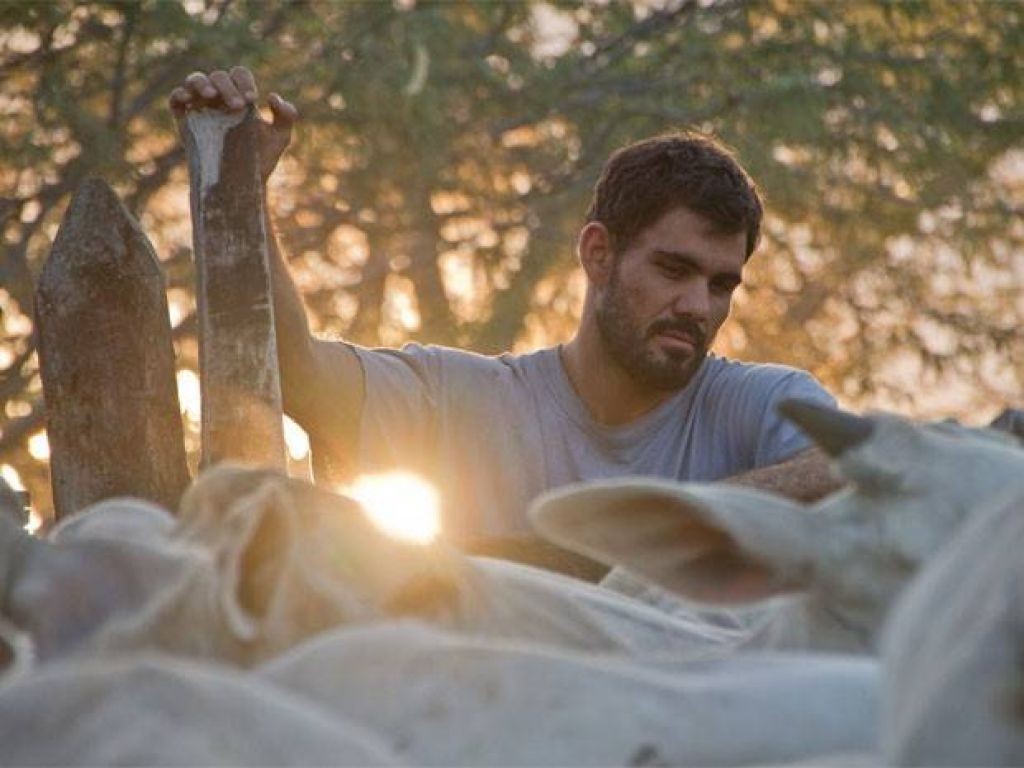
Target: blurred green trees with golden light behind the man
447,153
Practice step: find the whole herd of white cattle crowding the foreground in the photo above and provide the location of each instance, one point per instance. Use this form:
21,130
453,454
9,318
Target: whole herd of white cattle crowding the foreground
269,622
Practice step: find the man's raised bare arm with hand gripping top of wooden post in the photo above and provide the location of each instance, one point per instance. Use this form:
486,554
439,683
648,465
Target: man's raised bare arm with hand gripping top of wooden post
322,382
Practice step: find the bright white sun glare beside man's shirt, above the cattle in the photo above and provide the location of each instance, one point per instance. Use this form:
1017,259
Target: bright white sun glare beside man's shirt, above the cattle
402,504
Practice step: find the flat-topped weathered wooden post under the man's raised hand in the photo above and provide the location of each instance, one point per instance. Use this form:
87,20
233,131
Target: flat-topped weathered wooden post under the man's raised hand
239,377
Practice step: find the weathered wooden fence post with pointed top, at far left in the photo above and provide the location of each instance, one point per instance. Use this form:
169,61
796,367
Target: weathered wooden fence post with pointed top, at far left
107,361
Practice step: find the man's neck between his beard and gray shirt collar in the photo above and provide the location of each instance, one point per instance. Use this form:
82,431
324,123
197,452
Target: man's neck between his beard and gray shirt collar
611,395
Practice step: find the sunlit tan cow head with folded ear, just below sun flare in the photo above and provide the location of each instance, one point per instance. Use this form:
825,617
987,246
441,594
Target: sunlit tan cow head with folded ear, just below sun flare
293,559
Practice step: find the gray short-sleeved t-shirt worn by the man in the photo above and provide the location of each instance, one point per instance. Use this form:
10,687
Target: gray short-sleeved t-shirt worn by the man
494,433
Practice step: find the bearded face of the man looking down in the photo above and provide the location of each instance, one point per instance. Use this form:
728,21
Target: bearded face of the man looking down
669,293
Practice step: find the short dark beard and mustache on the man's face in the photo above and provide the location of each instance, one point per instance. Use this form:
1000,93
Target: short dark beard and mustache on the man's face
628,345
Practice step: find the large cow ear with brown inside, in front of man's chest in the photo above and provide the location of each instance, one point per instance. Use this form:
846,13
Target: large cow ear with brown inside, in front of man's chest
713,544
